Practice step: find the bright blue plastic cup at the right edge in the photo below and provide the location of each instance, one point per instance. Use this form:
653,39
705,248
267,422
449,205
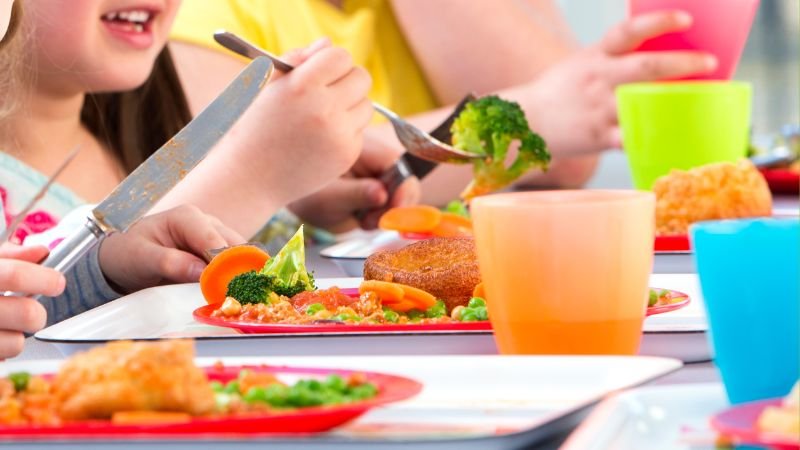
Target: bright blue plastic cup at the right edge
749,278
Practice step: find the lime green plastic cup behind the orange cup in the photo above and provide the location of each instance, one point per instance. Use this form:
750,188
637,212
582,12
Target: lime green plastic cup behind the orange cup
682,125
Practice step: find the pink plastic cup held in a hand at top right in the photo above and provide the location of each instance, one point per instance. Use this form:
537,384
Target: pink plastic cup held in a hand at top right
719,27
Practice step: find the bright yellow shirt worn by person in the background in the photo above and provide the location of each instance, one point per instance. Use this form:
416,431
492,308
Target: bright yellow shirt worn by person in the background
365,28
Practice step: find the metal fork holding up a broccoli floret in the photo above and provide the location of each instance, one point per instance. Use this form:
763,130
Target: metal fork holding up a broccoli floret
415,141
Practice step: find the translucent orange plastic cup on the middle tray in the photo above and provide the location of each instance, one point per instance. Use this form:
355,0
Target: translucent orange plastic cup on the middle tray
566,272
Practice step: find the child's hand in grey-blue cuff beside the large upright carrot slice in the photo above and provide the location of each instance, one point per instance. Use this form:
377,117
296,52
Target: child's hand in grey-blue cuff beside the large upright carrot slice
163,248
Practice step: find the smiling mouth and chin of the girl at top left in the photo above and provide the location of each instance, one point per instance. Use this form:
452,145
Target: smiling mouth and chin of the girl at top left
98,45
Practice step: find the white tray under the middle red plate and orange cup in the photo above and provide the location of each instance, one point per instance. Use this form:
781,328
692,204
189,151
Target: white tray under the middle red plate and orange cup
165,312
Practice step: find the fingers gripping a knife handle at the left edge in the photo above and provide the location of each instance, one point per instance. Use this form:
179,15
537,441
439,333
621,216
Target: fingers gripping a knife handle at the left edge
19,272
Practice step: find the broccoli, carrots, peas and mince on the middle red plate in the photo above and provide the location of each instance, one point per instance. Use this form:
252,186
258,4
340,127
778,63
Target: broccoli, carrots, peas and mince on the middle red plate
283,292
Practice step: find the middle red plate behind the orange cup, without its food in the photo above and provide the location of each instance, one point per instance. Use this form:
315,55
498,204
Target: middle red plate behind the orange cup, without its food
203,315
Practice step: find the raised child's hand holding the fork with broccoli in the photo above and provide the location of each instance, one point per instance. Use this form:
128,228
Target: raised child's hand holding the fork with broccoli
306,127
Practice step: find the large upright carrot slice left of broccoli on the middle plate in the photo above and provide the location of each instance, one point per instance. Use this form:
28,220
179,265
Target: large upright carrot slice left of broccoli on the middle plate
226,265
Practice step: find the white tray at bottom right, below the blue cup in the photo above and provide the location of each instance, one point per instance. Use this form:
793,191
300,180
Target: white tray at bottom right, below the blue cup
655,418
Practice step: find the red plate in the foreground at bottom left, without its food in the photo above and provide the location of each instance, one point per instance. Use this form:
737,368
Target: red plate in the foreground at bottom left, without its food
302,420
